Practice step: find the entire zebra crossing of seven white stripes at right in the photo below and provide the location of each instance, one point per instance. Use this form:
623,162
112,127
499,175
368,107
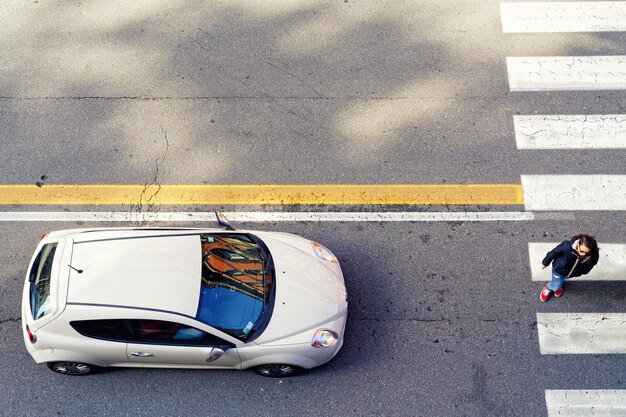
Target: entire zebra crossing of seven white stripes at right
569,333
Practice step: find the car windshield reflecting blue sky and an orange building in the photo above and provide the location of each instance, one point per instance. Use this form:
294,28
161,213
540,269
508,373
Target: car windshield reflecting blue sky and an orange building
237,282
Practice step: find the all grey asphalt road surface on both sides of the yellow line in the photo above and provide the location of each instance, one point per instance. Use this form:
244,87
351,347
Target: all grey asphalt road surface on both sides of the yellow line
442,318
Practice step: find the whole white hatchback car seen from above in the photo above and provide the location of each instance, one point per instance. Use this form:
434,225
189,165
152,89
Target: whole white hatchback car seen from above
182,298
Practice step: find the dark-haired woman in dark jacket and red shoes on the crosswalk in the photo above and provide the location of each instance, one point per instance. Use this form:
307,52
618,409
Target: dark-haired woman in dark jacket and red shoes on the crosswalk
571,258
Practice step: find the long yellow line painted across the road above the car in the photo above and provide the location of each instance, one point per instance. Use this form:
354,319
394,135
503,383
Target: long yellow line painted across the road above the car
385,194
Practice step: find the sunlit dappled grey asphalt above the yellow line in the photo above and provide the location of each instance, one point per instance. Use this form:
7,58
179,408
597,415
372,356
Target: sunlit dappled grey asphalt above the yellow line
302,92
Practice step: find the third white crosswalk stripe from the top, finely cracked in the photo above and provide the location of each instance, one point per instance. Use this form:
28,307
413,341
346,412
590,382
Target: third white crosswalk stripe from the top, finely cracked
570,131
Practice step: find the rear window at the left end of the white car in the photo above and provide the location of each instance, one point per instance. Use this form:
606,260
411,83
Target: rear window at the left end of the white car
39,279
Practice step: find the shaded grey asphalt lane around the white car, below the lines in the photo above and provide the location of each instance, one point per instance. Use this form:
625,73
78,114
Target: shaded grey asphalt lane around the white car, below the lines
441,322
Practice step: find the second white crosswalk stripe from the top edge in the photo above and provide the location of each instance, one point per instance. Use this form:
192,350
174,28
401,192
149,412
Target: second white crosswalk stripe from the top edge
567,73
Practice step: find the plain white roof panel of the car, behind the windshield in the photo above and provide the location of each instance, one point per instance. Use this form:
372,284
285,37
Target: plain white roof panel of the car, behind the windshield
148,269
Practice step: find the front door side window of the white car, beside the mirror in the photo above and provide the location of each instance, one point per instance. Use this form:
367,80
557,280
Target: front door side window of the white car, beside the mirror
170,333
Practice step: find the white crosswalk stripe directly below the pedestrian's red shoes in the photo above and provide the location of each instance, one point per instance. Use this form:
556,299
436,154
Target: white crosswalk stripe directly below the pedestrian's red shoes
581,333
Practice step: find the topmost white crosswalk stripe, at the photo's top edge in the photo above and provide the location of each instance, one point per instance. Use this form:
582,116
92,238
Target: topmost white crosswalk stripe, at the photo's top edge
591,16
